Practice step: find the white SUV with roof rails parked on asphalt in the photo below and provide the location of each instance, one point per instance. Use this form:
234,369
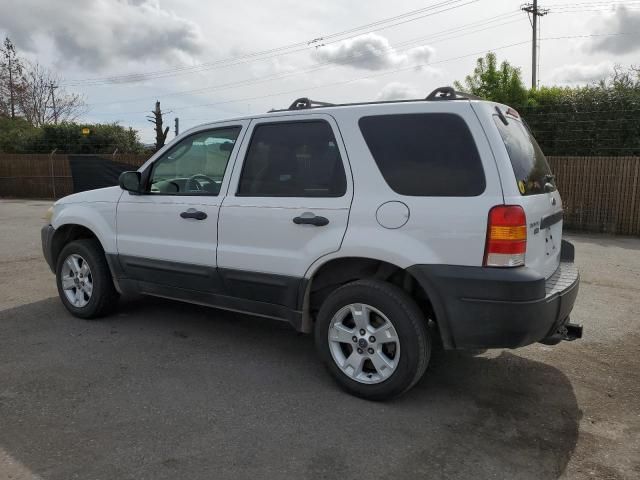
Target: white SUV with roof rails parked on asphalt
382,227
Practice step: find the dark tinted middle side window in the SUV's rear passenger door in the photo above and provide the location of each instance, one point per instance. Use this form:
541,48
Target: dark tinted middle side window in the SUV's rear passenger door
293,159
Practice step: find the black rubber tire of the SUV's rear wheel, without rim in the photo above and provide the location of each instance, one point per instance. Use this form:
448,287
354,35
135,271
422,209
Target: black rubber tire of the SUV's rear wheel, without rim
408,321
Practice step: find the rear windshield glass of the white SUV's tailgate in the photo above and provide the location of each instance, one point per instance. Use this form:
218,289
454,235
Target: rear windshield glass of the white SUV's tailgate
529,163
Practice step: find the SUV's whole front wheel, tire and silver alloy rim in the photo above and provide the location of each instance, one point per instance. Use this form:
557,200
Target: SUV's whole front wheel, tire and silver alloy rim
84,281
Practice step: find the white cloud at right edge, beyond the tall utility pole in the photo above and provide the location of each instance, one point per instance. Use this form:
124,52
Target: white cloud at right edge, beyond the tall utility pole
624,21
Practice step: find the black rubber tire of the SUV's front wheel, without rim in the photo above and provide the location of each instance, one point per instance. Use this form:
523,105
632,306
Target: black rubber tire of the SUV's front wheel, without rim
104,296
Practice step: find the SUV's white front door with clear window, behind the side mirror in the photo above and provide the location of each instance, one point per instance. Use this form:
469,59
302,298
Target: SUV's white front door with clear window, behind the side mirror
168,235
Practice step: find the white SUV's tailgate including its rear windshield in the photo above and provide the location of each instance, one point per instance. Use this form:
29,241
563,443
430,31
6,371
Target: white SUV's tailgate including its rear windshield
534,188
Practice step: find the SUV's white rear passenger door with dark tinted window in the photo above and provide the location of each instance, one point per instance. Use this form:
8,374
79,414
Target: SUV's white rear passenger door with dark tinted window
287,205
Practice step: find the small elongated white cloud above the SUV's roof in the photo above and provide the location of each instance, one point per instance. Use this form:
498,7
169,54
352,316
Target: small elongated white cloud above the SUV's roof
372,52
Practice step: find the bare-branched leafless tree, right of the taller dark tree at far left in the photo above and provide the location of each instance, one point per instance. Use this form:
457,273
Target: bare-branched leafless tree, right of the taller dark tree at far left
45,101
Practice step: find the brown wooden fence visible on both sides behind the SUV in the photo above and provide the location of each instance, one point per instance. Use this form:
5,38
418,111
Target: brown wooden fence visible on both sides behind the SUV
600,194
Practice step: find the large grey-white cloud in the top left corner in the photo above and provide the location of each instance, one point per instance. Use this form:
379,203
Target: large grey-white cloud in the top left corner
100,33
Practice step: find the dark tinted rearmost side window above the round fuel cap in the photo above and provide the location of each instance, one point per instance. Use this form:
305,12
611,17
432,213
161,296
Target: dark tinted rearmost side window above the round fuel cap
426,154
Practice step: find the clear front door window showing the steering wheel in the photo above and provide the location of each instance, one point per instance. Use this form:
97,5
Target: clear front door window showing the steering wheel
196,165
